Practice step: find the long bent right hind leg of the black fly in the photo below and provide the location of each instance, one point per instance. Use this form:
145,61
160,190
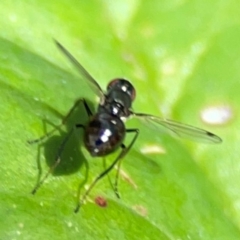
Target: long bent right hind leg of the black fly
106,171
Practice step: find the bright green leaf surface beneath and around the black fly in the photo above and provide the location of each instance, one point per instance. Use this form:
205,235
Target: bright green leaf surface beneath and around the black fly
182,57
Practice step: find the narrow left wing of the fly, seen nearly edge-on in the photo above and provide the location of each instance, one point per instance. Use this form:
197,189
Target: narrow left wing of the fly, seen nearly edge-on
83,72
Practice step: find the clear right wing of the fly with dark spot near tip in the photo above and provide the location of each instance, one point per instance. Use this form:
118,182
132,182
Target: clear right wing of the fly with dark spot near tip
180,129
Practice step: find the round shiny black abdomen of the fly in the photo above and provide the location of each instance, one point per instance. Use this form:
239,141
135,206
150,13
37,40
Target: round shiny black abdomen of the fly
104,134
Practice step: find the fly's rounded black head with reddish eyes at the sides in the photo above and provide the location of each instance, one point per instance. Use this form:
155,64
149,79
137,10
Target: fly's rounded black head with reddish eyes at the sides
123,85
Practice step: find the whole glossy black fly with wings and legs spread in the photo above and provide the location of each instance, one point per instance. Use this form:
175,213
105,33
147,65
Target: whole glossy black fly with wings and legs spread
105,131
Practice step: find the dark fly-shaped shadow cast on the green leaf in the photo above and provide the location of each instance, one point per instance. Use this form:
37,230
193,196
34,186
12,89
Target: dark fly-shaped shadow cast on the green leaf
72,159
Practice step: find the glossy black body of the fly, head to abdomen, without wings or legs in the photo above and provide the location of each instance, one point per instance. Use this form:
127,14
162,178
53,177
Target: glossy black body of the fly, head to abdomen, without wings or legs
105,131
